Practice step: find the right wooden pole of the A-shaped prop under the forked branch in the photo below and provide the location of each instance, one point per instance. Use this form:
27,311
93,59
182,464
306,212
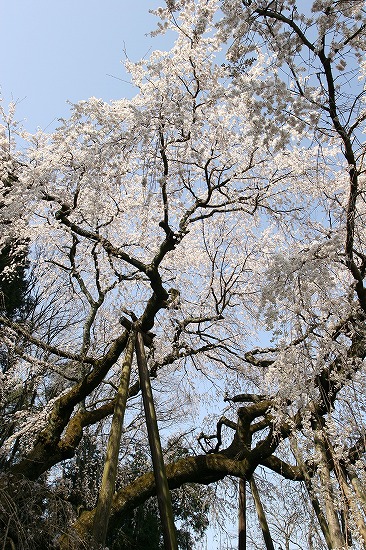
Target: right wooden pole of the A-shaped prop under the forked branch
162,489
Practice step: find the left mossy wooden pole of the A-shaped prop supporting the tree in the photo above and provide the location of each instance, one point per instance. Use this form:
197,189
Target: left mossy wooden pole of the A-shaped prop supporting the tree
107,488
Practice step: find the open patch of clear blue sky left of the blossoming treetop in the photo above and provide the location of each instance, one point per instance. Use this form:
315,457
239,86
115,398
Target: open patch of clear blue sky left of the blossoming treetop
54,51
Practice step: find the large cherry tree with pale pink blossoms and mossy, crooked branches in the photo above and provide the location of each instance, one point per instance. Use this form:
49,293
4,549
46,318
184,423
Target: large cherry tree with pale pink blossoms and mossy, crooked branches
221,213
